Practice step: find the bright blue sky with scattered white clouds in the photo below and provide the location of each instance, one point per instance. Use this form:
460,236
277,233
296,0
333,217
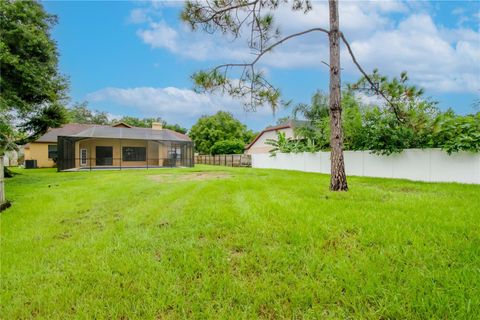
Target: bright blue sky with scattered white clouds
136,58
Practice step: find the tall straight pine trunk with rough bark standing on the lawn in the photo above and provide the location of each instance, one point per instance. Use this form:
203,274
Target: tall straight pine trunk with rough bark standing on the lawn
338,179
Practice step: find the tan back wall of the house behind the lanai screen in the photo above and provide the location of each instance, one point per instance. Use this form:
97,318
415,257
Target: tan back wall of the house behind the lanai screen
156,152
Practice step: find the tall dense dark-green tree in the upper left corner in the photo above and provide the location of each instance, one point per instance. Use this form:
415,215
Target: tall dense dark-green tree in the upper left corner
29,58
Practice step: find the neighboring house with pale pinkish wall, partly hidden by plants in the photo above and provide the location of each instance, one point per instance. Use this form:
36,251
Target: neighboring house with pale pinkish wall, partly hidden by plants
258,145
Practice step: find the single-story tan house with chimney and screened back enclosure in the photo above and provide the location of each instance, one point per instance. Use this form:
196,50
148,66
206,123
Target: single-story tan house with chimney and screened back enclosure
81,146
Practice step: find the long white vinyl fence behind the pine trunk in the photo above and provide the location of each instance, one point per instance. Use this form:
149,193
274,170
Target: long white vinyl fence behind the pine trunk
433,165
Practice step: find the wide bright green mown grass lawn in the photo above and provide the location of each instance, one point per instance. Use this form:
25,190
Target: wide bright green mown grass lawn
213,242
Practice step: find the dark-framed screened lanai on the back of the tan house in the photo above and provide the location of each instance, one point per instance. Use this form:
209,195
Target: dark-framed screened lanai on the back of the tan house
100,148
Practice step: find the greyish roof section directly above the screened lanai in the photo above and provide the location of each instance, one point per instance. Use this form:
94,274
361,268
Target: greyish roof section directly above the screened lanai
131,133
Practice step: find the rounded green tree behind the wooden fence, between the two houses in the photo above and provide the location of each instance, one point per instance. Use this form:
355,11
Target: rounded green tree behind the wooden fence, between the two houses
219,127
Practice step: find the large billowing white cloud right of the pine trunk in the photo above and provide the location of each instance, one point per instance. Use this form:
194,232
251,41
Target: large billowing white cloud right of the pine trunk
419,47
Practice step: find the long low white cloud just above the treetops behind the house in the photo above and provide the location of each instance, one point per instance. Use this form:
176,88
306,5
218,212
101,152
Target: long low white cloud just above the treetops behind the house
170,103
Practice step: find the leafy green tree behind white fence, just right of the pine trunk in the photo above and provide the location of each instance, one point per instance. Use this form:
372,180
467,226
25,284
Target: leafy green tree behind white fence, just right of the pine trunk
404,121
